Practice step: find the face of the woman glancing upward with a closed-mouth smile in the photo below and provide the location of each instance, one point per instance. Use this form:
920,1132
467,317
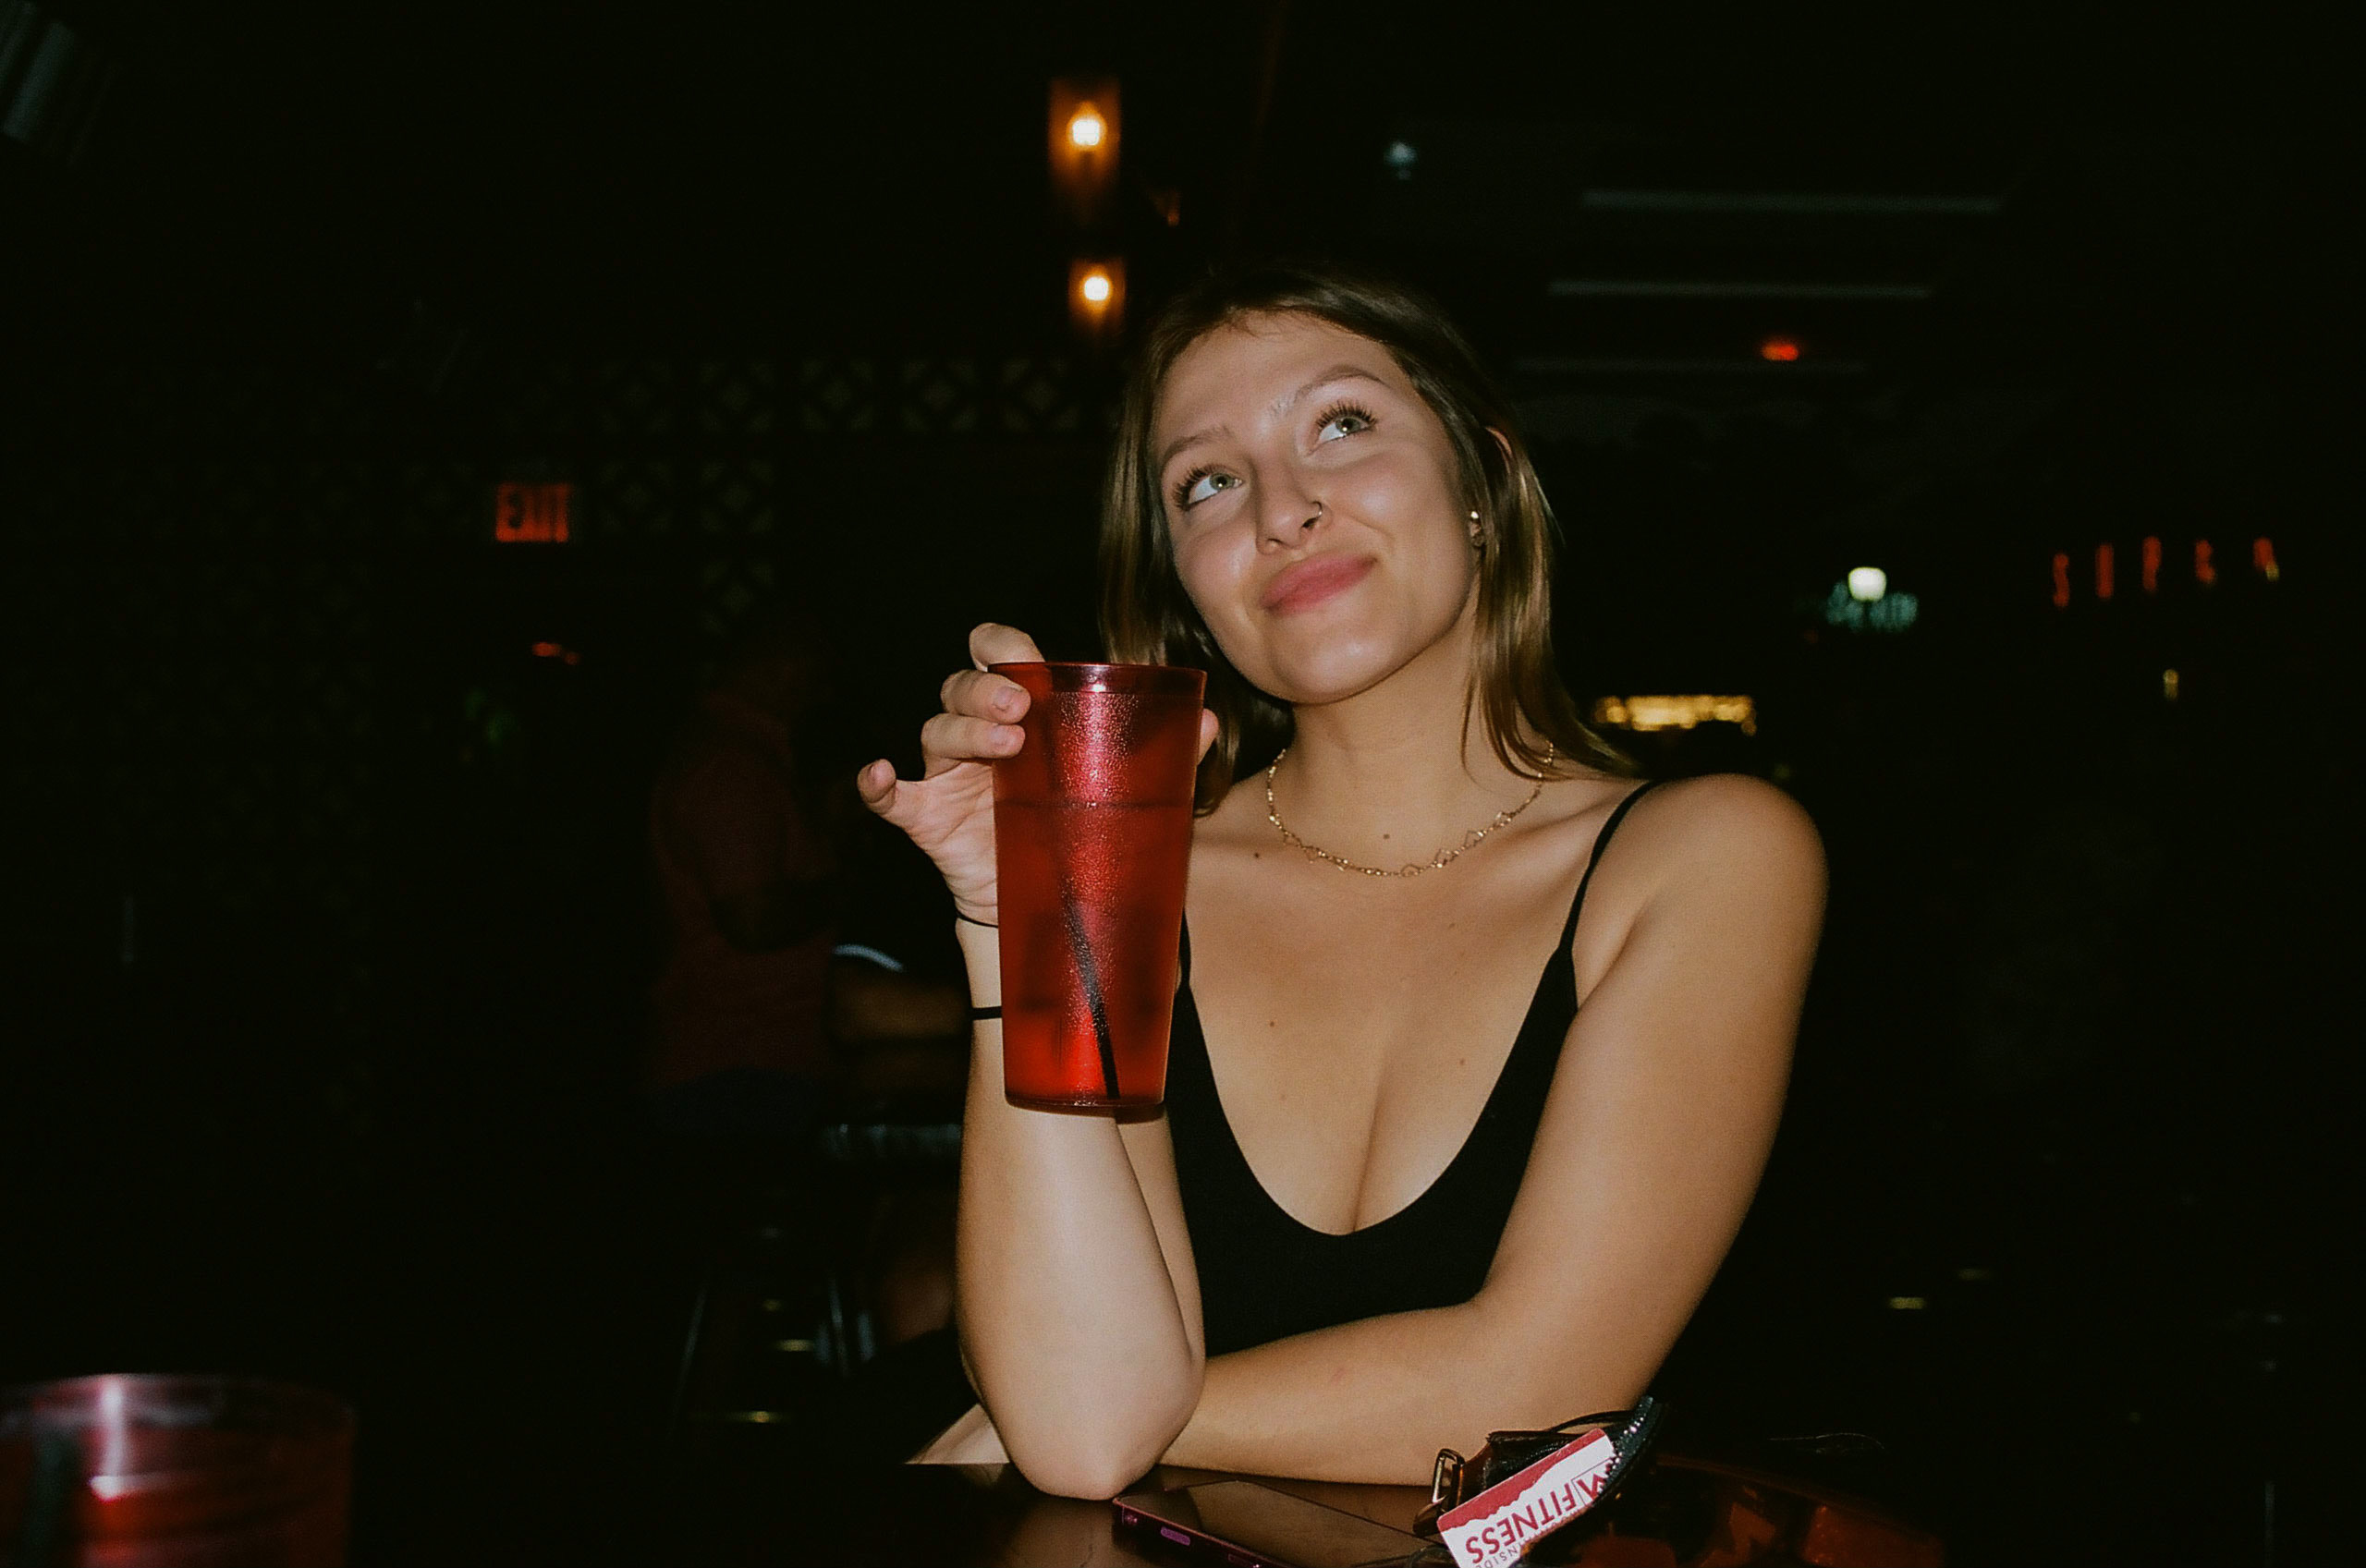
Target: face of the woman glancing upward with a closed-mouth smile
1314,507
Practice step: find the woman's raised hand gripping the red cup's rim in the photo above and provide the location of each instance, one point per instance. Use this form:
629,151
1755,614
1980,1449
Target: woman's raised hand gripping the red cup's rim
950,810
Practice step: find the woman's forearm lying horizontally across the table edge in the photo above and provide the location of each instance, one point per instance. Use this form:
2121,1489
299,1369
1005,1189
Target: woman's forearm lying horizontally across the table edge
1376,1401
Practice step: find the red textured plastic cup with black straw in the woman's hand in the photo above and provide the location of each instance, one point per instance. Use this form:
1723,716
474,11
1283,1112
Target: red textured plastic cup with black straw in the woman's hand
1092,848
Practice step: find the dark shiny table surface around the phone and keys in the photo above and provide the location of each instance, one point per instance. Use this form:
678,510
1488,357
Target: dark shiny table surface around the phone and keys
1681,1512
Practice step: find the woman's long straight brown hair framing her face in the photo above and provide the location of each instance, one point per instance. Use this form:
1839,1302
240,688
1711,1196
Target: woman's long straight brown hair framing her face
1149,618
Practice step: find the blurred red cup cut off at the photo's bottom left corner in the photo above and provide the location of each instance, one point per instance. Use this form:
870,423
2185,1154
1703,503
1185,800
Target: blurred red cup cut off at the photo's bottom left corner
174,1472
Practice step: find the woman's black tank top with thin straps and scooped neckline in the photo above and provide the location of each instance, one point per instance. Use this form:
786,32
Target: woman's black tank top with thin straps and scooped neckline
1265,1276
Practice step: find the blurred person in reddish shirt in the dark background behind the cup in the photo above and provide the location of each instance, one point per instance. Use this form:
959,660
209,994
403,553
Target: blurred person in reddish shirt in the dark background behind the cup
765,1021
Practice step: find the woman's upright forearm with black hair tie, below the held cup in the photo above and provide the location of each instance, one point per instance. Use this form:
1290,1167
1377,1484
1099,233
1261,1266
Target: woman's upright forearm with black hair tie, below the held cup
1068,1314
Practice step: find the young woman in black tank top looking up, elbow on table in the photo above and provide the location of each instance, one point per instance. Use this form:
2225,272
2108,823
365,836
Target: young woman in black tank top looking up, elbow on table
1466,1103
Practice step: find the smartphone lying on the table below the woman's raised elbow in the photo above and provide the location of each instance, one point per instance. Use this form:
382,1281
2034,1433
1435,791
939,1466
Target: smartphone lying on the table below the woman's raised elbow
1255,1527
